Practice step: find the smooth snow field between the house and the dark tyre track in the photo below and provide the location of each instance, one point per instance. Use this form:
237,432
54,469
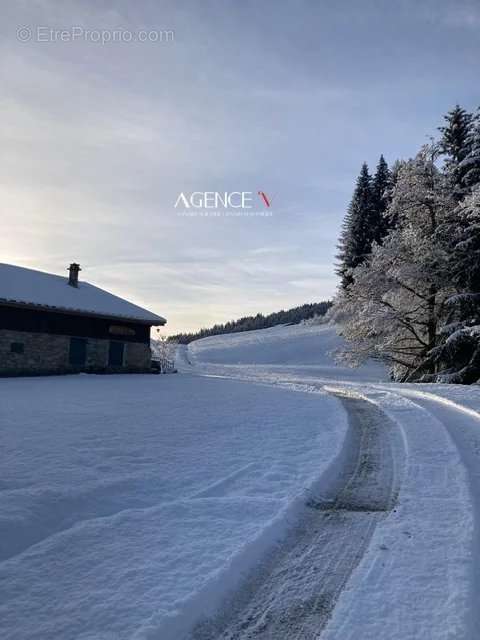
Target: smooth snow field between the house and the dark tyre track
125,499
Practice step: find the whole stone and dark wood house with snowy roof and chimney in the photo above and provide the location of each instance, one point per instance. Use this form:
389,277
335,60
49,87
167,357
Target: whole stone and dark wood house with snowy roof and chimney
52,324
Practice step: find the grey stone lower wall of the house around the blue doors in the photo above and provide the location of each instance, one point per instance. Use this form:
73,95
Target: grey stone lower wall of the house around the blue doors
47,353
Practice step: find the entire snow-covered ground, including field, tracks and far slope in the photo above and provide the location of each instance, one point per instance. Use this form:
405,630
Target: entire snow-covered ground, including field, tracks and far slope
264,492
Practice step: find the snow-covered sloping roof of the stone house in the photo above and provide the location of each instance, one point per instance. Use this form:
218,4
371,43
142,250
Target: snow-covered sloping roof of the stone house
19,285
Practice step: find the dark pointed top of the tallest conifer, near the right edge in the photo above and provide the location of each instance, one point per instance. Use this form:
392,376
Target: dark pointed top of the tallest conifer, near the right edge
453,144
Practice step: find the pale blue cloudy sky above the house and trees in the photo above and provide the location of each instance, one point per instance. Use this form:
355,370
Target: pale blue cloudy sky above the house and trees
285,97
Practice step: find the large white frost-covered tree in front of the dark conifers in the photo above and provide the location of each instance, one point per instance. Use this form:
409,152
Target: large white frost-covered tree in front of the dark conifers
394,305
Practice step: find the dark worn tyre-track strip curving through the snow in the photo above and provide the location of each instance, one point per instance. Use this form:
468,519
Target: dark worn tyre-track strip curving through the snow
292,594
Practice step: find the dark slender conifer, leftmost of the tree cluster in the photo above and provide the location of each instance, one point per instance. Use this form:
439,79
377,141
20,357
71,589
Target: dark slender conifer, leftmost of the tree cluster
356,236
